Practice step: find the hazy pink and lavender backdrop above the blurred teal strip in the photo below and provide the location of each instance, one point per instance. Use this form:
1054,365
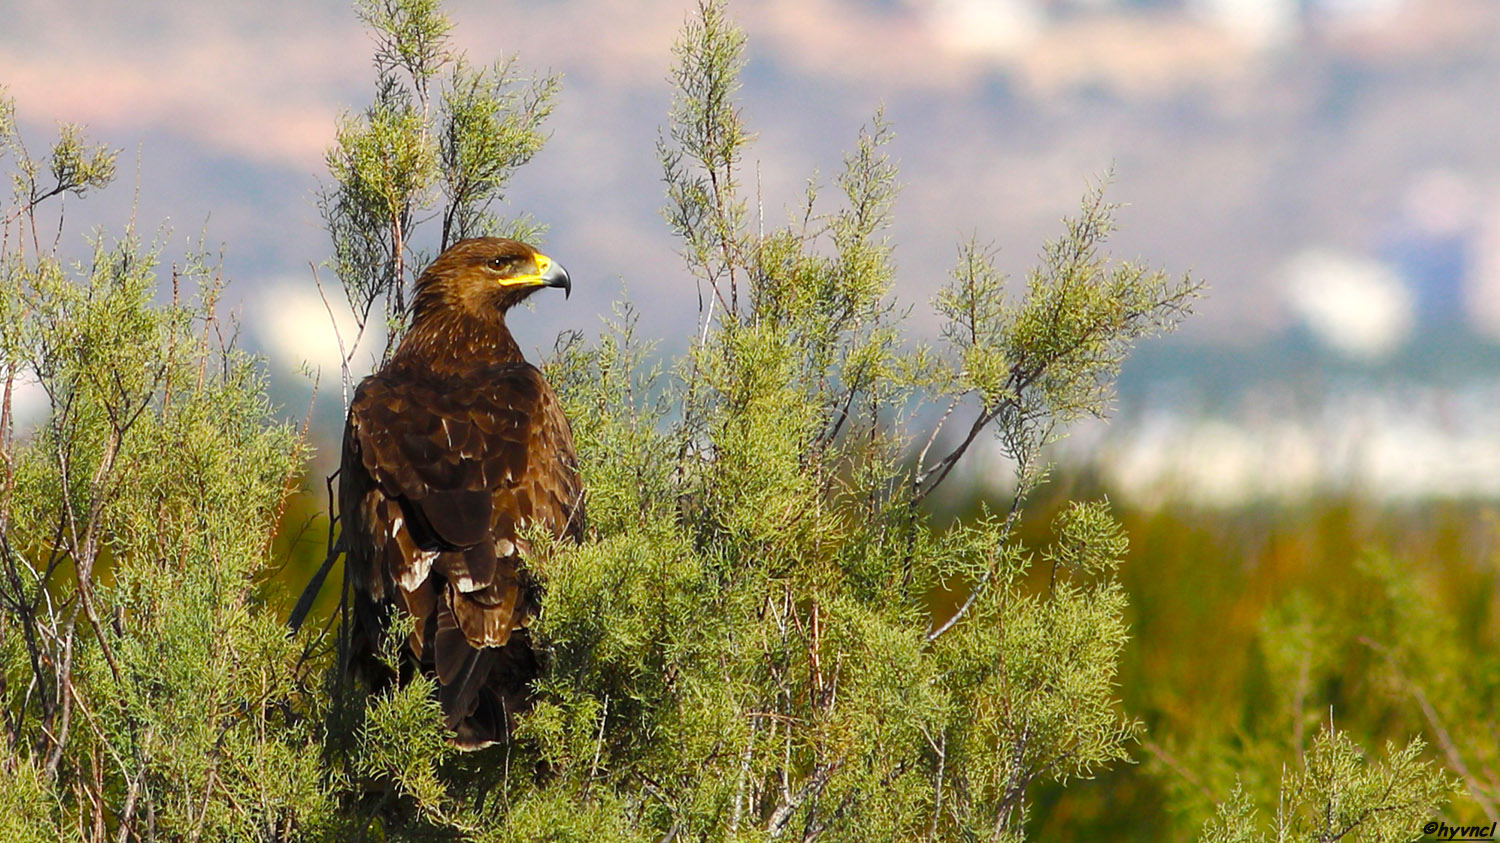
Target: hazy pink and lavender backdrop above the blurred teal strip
1243,136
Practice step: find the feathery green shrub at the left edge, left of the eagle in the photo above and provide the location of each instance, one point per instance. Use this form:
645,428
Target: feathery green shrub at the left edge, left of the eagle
145,692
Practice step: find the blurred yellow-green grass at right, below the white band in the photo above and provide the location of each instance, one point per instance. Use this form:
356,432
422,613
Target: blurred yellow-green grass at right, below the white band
1250,626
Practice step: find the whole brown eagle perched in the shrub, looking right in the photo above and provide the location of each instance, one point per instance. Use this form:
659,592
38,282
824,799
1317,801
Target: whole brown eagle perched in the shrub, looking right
451,451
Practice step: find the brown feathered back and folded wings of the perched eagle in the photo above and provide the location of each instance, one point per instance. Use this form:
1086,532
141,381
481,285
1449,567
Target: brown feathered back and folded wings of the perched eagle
437,482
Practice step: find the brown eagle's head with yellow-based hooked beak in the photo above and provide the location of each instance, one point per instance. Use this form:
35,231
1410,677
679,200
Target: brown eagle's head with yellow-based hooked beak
487,275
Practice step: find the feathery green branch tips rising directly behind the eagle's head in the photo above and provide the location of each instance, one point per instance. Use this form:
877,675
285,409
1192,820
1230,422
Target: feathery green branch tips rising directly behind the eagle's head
419,152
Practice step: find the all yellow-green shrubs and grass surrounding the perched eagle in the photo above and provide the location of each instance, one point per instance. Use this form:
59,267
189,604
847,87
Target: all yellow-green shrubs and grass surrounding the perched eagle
769,634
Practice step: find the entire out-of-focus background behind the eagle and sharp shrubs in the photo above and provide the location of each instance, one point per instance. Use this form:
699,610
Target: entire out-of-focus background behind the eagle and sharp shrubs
1330,167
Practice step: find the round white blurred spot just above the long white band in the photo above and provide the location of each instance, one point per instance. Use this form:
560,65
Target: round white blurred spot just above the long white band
1355,305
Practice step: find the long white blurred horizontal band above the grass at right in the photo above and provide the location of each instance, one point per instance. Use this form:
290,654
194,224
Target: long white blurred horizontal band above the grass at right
1399,443
